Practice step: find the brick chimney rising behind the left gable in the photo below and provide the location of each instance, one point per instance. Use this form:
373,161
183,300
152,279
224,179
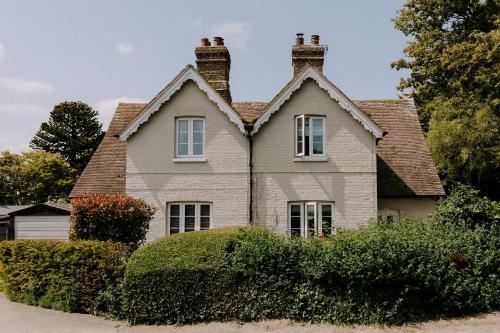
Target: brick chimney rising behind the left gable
213,63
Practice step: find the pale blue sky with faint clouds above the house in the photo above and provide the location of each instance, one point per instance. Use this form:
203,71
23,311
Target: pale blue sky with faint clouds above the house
105,51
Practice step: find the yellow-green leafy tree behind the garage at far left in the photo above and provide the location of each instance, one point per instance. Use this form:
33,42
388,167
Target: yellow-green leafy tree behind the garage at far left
34,177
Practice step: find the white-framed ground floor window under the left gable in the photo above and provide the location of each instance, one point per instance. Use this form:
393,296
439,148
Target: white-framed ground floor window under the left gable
188,216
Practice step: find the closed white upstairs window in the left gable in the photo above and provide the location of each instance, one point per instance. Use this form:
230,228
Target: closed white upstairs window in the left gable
190,137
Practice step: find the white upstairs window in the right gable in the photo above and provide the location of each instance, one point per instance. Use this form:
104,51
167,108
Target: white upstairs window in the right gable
309,135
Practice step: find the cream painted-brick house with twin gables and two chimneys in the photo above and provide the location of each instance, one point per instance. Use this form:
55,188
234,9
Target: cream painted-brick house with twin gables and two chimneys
309,160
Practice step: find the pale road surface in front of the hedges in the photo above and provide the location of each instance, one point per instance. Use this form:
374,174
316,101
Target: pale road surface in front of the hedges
21,318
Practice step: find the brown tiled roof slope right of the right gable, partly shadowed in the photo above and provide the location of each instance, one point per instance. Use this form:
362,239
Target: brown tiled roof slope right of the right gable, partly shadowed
404,163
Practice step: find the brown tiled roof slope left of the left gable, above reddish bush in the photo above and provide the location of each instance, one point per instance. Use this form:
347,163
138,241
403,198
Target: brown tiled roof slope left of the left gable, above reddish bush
105,172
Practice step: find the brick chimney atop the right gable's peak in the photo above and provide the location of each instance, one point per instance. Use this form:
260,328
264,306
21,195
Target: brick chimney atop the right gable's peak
304,55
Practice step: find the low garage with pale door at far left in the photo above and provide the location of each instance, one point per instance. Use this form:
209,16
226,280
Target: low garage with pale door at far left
40,221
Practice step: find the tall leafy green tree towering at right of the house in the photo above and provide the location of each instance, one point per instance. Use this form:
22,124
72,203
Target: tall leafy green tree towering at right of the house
454,59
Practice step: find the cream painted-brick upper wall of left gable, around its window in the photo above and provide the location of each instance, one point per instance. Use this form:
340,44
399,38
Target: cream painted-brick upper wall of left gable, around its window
152,149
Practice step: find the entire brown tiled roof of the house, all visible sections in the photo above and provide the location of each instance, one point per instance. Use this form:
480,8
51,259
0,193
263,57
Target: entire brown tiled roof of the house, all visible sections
404,164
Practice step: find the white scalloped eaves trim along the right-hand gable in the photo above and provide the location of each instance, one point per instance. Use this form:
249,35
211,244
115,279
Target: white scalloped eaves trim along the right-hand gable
330,88
